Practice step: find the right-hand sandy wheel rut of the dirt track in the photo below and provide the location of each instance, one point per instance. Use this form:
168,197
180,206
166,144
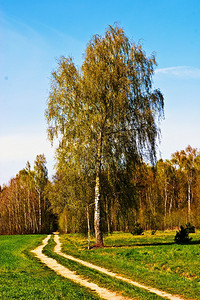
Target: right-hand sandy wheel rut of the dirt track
57,249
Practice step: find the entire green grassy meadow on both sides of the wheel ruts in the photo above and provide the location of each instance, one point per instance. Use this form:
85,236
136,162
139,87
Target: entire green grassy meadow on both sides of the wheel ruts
153,260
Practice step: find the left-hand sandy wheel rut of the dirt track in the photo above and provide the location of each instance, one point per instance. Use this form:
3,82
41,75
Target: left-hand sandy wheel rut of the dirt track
63,271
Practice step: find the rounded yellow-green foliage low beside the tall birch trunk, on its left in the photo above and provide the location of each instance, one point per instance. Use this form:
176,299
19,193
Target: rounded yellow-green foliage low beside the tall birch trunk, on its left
69,193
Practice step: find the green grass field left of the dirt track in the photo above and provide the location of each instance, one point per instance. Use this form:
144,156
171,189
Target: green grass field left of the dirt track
22,276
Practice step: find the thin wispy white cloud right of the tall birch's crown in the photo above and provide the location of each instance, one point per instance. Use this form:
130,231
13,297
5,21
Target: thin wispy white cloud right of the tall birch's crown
186,72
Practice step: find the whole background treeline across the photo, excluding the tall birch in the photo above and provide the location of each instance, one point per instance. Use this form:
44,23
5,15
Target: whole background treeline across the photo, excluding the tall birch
160,197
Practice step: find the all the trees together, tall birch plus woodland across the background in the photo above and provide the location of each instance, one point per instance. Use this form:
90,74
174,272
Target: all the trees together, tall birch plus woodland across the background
105,118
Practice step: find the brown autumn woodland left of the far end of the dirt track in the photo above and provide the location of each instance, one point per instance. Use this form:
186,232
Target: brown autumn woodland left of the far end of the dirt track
24,206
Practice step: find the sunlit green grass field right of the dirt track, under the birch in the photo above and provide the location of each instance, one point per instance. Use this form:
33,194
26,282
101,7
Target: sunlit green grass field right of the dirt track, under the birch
153,260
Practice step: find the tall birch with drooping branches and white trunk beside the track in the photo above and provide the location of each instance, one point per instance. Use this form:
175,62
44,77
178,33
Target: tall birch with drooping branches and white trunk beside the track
107,112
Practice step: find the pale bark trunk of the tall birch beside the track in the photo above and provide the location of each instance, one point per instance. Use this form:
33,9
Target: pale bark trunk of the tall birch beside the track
97,209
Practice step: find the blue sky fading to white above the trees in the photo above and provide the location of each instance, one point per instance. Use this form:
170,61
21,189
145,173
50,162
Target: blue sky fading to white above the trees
33,34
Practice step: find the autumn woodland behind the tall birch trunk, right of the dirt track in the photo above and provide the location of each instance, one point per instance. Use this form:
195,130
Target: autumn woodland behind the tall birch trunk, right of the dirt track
160,197
